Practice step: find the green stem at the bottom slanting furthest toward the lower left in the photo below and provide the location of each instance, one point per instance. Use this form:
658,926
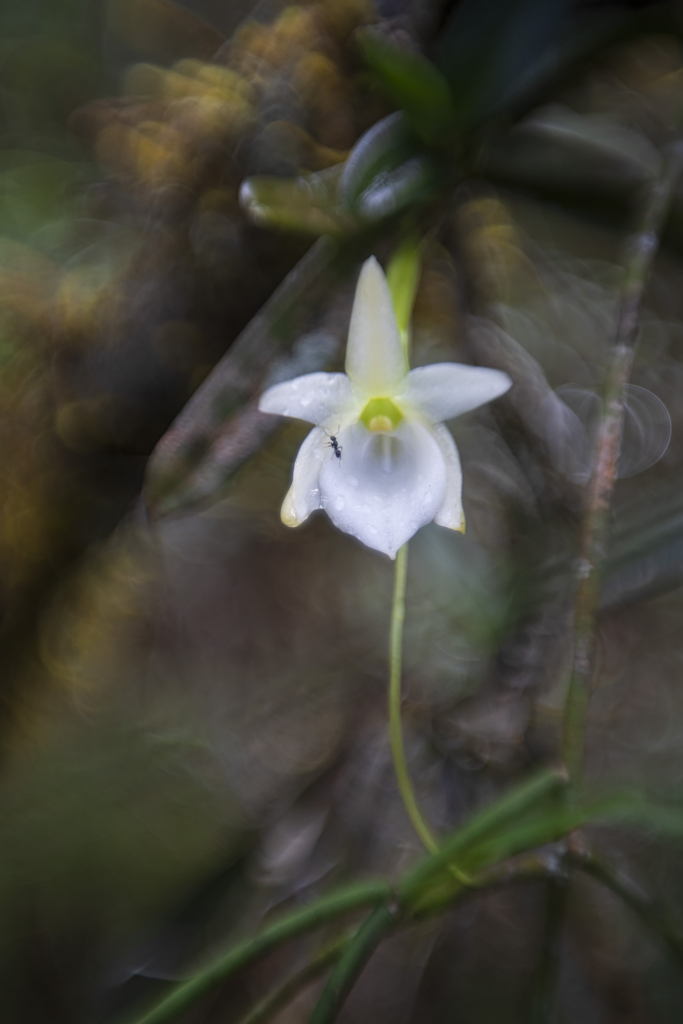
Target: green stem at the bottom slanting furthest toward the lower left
244,955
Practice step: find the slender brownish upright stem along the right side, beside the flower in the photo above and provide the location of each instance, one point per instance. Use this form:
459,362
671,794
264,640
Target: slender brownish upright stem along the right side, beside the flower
595,523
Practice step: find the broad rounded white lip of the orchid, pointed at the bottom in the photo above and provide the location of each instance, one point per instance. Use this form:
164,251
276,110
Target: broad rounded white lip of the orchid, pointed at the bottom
387,486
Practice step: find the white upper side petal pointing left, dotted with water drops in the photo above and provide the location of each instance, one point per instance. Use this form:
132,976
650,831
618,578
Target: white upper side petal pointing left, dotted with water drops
315,398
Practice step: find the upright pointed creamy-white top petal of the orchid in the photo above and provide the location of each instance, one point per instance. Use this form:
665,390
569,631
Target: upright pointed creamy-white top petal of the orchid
376,361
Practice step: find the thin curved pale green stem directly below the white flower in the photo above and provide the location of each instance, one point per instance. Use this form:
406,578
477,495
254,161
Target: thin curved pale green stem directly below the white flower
396,726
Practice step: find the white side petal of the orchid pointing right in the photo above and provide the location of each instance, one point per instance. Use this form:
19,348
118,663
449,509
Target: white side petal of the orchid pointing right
444,391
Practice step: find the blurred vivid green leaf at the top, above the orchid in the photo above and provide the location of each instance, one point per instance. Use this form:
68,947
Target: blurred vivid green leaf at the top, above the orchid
415,86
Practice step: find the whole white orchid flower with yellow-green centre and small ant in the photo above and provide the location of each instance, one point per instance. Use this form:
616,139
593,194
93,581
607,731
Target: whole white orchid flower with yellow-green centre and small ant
395,466
